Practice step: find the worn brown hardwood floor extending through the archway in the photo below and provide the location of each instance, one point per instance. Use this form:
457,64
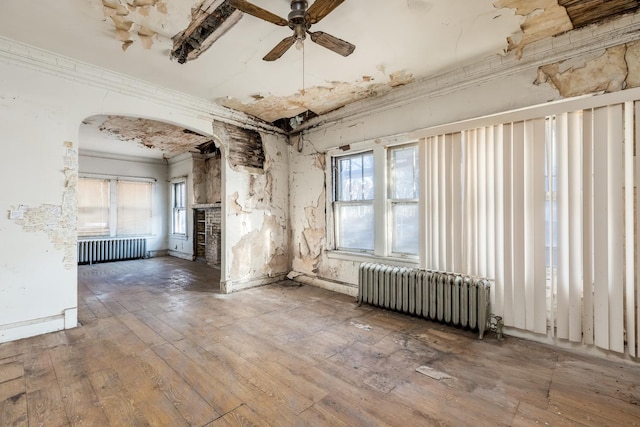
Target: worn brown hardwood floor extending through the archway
159,346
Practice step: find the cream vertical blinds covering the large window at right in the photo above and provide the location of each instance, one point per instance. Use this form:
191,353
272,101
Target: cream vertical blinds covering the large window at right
544,207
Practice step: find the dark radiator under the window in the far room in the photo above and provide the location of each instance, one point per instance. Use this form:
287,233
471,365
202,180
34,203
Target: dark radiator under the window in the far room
113,249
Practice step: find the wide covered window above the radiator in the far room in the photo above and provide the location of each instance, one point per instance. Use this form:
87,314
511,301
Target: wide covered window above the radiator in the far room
112,207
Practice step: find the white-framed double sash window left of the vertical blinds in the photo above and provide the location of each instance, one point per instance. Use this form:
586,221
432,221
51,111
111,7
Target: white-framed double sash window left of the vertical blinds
383,180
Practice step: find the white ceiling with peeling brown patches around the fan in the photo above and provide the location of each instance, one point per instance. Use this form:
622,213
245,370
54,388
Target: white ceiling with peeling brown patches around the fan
397,42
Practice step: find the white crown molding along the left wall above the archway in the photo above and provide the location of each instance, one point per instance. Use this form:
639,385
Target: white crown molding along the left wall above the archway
20,54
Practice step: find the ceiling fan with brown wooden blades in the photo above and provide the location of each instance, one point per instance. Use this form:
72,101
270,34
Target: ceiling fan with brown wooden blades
299,20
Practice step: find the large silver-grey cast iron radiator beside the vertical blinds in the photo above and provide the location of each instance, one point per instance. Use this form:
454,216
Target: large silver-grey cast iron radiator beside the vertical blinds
444,297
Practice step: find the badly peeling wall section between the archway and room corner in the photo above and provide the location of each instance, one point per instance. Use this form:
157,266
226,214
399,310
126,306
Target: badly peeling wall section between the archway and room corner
255,216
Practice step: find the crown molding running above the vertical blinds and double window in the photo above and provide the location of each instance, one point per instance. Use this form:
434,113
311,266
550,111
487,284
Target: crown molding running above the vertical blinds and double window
589,39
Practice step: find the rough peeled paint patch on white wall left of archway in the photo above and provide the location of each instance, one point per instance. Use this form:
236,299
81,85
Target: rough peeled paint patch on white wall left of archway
58,222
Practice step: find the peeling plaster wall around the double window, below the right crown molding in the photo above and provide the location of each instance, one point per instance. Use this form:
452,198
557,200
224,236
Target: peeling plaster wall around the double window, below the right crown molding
599,70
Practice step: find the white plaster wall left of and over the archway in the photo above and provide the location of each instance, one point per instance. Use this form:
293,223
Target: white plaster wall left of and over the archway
41,110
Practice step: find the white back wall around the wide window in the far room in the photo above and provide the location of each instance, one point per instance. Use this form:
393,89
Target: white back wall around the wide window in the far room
127,167
